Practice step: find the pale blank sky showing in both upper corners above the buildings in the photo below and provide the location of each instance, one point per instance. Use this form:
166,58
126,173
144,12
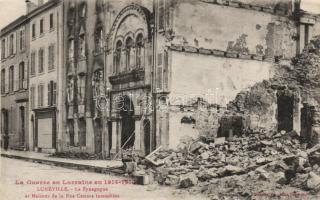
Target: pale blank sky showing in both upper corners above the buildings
12,9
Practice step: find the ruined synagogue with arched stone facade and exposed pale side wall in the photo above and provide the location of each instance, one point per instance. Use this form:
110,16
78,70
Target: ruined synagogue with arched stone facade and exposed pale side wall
134,72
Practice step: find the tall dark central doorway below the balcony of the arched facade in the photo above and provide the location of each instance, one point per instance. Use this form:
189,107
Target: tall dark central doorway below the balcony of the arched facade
128,123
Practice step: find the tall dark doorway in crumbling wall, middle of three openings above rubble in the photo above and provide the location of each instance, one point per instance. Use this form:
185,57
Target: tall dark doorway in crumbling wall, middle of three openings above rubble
285,112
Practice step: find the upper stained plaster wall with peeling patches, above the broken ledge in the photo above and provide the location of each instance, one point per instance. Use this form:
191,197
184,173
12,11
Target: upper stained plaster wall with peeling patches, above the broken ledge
232,29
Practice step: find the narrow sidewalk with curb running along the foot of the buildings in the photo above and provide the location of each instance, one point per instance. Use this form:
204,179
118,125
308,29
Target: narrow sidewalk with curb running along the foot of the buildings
89,168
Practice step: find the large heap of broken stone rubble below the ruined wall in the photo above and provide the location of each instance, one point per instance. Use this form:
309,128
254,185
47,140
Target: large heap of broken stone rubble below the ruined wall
261,156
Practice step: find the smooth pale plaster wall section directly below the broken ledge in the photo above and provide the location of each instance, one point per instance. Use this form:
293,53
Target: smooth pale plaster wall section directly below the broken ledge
216,79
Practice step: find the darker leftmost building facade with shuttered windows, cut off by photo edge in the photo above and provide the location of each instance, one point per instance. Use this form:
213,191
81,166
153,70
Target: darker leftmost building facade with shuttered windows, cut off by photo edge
14,83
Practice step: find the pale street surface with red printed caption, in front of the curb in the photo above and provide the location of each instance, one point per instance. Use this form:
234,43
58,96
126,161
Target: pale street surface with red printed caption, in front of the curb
25,180
